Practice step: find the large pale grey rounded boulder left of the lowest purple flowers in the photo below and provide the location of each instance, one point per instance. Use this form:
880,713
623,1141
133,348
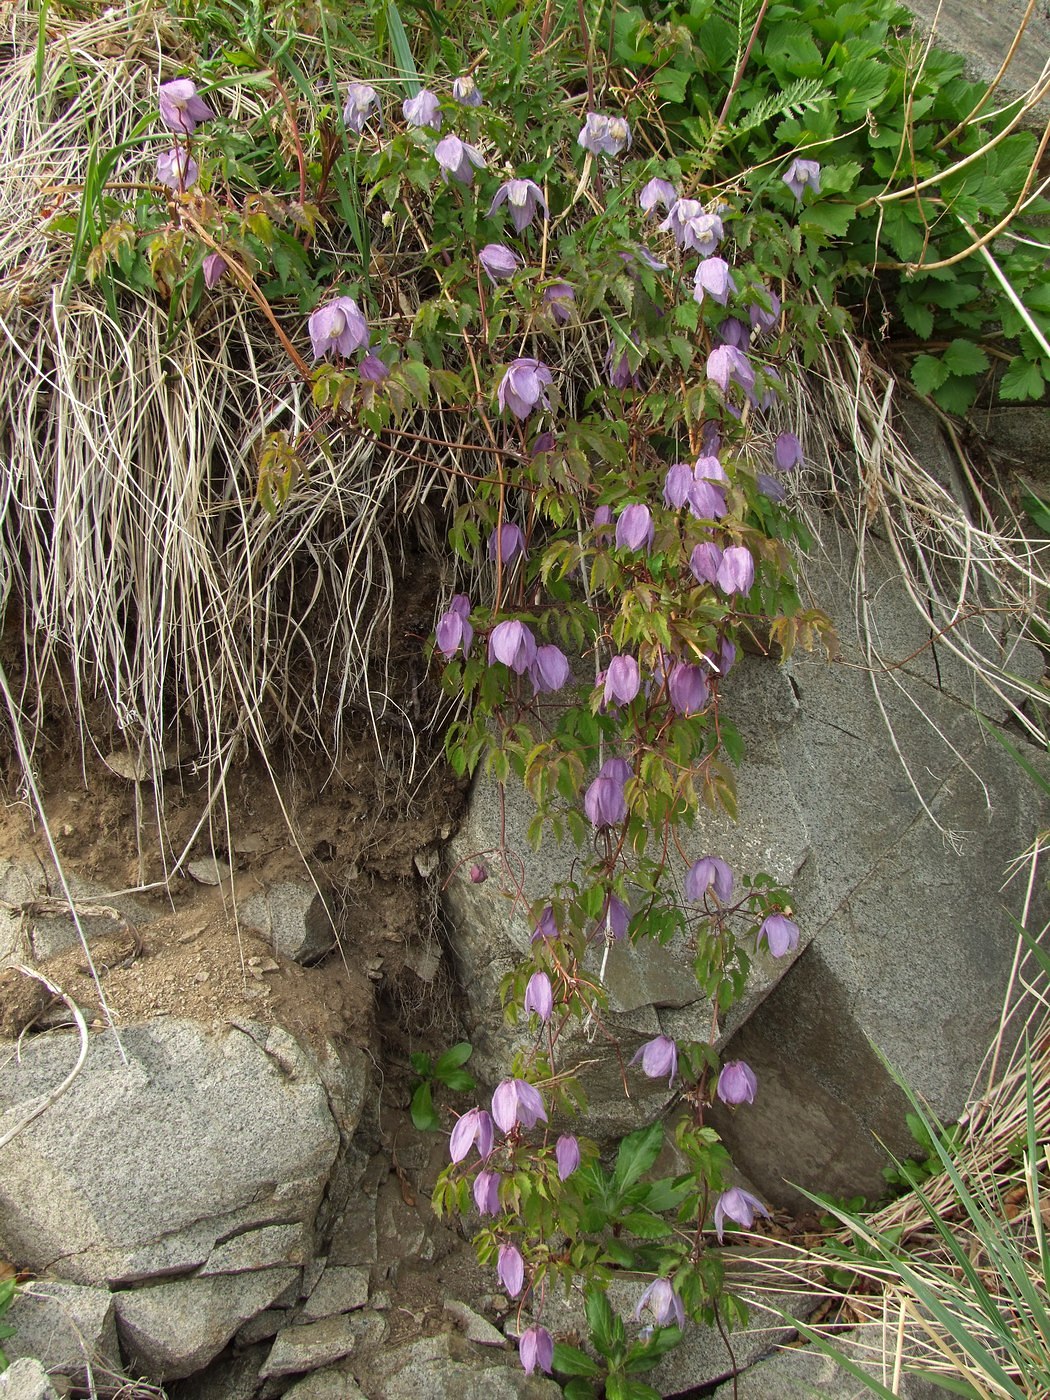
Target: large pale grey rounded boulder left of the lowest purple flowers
232,1133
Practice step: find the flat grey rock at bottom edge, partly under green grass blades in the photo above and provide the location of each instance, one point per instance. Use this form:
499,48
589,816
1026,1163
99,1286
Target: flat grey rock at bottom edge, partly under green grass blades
807,1374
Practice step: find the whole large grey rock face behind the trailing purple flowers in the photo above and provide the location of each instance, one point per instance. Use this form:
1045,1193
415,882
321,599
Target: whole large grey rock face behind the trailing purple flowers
874,792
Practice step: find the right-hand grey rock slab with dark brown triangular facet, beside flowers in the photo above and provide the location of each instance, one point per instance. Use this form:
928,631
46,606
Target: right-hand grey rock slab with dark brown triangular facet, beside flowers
898,960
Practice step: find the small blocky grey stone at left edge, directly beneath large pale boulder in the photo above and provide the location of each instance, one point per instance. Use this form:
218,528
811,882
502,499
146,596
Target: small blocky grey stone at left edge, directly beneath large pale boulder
68,1328
